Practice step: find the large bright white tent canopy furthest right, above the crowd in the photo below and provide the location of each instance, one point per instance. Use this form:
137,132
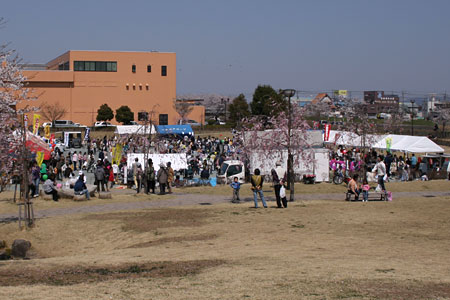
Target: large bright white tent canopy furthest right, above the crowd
408,143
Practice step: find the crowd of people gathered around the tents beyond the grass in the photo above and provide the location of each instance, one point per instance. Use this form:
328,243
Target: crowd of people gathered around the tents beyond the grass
204,156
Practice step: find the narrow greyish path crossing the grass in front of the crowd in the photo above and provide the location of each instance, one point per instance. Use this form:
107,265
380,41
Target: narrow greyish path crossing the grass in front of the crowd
191,199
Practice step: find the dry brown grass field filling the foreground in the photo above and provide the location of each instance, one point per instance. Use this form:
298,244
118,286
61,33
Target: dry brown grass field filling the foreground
320,249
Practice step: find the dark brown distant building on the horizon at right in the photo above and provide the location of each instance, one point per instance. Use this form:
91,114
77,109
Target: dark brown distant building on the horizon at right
377,102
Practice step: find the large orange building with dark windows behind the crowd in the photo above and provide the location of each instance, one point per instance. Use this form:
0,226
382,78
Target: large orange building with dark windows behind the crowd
81,81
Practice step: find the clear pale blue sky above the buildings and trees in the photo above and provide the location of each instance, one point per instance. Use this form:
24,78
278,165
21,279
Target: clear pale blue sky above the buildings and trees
232,46
